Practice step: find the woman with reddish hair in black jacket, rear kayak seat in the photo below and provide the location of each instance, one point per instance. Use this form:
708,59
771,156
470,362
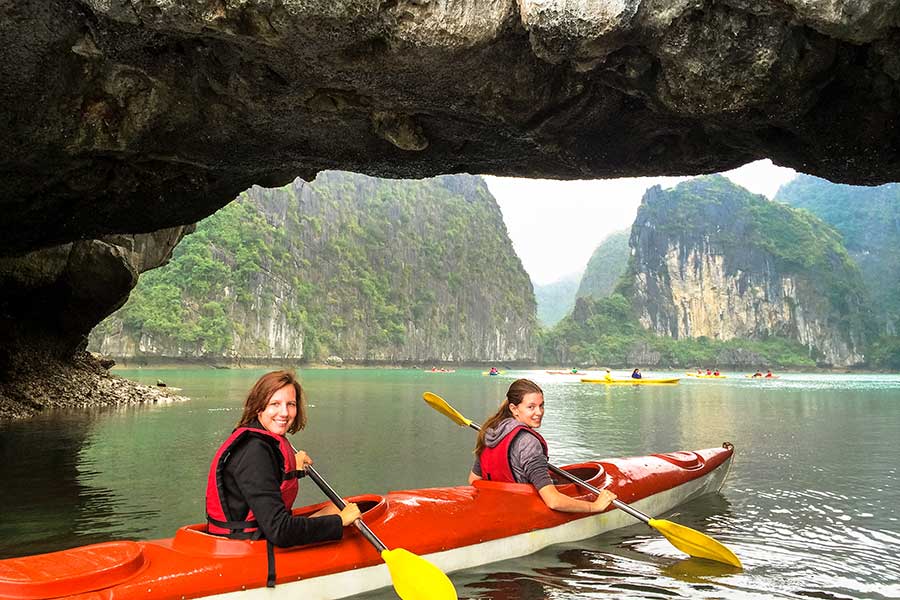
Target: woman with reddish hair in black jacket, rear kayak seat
252,482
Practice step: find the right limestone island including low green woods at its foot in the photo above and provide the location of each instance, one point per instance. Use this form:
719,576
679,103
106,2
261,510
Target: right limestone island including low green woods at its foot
709,238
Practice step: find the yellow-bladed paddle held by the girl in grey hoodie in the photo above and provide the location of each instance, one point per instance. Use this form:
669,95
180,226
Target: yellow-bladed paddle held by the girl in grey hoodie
684,538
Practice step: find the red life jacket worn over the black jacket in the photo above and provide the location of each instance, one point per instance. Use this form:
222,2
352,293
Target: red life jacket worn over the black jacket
234,526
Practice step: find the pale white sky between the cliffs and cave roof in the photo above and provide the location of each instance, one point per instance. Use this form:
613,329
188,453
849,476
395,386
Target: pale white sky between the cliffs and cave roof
556,225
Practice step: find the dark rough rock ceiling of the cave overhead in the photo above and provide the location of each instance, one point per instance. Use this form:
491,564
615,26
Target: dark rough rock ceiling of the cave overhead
132,116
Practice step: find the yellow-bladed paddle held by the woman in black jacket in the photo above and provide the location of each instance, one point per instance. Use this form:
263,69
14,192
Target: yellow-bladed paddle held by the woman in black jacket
414,578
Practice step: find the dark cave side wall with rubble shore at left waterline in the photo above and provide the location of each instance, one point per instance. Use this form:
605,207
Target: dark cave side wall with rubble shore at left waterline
52,298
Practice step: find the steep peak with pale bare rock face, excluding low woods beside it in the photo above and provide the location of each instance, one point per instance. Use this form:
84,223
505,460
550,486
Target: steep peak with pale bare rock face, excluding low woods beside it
710,261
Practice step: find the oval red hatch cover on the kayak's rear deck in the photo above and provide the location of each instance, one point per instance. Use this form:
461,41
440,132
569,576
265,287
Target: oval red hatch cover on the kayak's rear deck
69,572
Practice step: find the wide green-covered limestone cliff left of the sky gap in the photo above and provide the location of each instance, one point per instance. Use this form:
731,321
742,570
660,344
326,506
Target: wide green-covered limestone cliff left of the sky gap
348,265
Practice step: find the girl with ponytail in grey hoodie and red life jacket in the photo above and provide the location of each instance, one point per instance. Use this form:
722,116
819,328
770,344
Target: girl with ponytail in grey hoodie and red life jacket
510,450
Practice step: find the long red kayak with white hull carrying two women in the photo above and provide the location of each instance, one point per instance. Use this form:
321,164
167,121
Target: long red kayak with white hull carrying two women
454,528
